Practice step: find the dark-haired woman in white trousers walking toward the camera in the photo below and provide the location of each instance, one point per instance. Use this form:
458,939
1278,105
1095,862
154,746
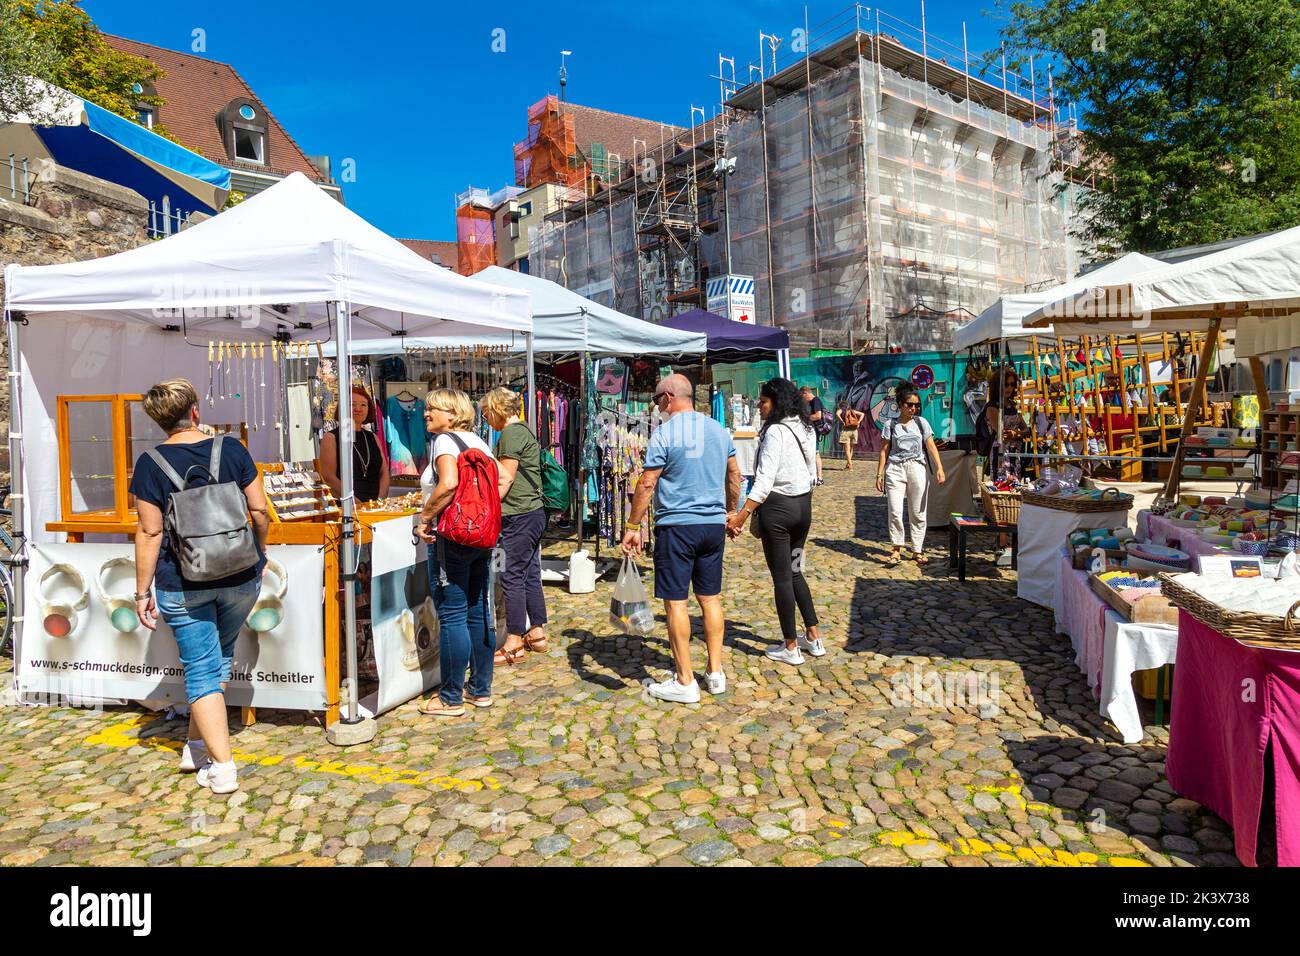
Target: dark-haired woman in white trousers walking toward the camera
904,444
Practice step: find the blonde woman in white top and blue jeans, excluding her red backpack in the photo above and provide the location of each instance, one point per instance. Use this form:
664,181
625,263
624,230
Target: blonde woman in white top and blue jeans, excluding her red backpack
458,576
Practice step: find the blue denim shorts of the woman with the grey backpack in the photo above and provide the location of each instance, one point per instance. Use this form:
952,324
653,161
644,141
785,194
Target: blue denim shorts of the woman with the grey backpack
206,625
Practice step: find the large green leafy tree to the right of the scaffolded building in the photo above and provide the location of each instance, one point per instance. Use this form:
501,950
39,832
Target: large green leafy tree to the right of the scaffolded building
1190,113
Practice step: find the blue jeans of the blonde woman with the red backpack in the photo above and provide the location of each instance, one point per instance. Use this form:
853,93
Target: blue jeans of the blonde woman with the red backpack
467,638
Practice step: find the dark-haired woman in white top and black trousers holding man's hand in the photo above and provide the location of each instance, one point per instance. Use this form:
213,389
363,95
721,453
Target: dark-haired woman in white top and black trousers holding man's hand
782,498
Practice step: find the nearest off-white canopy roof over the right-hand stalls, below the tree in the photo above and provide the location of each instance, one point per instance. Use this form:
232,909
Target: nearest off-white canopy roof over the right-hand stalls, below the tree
1255,279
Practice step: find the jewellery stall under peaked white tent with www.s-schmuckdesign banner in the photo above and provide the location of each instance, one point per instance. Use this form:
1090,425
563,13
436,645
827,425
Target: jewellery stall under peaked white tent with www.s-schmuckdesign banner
228,305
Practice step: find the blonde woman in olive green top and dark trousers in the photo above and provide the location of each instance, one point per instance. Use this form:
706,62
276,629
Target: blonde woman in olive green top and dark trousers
523,522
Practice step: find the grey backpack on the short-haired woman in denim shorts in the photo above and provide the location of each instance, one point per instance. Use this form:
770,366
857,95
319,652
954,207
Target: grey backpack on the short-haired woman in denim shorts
209,526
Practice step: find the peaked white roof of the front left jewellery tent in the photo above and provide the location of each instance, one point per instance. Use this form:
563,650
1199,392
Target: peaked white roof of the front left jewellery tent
291,246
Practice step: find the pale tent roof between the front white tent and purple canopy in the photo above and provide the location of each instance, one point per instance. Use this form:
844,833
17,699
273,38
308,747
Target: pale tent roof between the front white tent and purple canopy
565,322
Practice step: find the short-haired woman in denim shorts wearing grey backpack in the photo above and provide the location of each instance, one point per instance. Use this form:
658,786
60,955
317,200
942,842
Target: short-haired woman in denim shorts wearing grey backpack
205,612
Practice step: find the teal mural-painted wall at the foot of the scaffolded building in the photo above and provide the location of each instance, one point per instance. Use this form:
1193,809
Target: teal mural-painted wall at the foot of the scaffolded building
868,383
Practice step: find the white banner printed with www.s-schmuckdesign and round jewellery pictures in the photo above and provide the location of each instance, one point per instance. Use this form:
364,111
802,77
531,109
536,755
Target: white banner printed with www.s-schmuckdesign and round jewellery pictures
280,669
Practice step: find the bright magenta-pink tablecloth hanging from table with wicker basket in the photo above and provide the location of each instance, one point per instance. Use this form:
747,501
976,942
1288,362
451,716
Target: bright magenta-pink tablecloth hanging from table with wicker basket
1233,710
